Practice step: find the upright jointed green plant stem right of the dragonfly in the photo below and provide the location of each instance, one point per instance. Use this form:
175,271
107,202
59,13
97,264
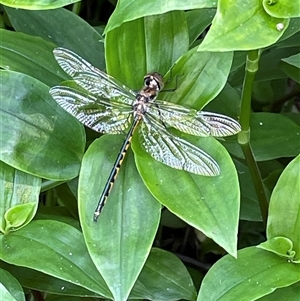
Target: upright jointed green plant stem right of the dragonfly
244,135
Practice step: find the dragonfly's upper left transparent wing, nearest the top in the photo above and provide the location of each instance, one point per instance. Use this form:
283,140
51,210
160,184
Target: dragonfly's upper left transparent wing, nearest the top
92,79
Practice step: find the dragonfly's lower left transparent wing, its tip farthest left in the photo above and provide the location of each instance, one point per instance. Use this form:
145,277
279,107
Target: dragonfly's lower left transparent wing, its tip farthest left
96,113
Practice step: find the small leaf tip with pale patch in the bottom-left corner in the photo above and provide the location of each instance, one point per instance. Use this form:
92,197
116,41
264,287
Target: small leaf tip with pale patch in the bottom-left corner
10,288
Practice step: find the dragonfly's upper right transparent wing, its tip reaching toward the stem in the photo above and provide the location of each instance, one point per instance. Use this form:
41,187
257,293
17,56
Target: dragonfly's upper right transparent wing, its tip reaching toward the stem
198,123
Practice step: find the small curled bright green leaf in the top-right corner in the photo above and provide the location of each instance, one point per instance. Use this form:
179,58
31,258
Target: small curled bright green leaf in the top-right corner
282,8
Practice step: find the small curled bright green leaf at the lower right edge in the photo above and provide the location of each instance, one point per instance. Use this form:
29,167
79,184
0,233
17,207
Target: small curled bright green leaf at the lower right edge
279,245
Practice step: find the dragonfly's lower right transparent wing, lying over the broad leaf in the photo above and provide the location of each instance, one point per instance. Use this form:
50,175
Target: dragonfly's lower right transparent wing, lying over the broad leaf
173,151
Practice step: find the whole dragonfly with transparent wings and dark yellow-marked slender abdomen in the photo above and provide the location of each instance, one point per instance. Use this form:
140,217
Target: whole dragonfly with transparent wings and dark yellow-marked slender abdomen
107,106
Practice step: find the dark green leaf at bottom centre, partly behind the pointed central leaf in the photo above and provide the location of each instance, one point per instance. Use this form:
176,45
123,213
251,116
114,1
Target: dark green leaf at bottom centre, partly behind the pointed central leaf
164,277
